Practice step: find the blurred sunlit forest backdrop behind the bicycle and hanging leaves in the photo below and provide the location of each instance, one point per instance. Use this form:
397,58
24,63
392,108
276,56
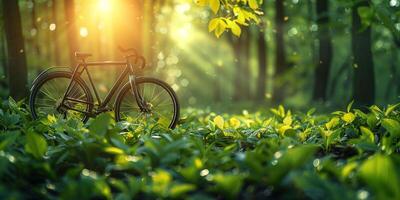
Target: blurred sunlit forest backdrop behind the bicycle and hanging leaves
303,53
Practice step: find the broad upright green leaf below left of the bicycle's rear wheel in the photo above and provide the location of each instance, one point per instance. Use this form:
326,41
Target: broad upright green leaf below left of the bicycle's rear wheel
35,144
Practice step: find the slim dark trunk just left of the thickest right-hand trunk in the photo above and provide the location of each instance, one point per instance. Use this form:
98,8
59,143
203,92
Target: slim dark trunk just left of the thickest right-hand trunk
325,51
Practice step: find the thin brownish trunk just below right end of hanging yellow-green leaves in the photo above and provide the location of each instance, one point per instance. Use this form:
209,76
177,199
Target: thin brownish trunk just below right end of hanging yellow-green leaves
262,66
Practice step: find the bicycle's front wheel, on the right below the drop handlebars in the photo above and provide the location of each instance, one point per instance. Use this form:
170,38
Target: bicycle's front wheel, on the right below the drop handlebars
160,100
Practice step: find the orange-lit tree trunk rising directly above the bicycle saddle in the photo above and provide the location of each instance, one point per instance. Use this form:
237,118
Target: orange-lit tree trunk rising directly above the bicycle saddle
72,32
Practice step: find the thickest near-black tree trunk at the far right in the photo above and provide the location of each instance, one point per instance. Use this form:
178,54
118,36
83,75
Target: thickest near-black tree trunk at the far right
364,79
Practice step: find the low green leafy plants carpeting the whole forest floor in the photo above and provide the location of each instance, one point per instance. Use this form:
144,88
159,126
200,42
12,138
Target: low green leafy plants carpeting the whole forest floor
343,155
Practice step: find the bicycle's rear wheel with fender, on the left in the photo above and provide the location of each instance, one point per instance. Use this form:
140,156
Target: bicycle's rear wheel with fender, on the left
47,93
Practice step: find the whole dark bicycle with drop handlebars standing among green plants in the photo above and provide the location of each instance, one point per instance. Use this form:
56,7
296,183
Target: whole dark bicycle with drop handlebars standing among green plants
140,99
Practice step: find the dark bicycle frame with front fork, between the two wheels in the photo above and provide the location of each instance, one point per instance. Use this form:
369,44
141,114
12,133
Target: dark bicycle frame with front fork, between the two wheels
102,106
